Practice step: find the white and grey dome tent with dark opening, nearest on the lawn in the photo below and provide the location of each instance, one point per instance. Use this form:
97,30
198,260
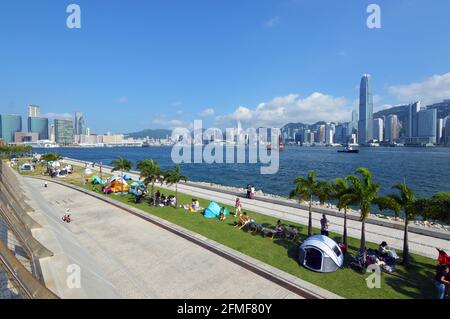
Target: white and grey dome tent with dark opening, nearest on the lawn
321,254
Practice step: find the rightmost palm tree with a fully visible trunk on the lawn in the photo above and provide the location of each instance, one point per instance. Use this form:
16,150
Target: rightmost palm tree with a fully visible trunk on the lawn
405,201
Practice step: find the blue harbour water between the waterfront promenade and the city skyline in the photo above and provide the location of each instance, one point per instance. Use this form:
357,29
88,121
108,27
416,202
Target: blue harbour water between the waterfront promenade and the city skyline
426,170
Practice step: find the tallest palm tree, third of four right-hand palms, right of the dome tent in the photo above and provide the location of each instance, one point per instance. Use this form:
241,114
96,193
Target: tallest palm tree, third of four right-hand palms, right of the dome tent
363,192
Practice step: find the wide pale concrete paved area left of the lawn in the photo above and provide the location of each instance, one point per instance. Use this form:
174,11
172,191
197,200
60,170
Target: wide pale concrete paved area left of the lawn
124,256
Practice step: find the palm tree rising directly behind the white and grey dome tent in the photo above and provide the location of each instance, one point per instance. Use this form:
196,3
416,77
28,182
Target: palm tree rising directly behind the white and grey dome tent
305,189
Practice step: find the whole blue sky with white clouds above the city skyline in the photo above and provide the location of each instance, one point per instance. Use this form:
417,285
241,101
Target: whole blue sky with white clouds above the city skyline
149,64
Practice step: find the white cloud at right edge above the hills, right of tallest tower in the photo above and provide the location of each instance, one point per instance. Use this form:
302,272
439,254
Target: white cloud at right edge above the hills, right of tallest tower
431,90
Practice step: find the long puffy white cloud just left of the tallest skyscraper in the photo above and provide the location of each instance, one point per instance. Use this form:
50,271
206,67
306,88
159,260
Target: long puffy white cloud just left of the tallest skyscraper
291,108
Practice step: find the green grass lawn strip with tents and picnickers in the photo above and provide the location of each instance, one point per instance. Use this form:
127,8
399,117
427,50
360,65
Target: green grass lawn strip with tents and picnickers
414,282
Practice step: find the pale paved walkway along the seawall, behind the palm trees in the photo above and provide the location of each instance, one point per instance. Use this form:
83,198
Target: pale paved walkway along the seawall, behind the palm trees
419,244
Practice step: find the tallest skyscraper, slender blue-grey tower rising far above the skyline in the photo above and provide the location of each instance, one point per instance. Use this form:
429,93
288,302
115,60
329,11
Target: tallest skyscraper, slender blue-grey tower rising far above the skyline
365,124
